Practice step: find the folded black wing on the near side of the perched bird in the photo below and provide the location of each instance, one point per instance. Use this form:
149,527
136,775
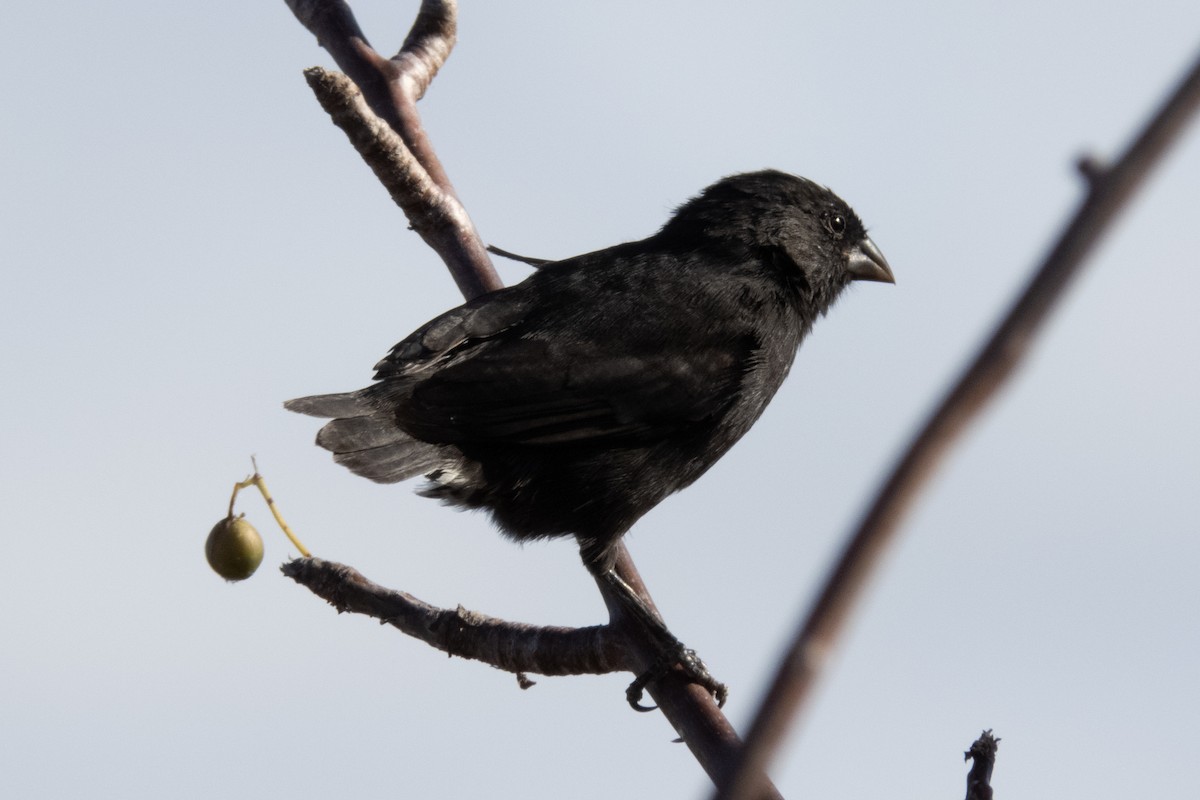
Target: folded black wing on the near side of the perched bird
491,372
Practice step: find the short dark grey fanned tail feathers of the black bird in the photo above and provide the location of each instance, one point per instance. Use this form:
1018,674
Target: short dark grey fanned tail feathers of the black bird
368,441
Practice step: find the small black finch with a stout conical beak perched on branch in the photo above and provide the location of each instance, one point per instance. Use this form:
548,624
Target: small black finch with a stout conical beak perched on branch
574,402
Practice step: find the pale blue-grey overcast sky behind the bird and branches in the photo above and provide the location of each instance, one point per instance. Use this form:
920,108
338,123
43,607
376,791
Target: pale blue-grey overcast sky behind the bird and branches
188,242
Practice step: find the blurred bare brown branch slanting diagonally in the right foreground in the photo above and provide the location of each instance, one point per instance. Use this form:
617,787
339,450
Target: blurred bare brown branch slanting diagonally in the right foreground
1109,193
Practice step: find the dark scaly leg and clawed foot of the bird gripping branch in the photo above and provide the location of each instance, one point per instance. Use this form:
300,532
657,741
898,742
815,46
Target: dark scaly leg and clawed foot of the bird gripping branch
671,652
